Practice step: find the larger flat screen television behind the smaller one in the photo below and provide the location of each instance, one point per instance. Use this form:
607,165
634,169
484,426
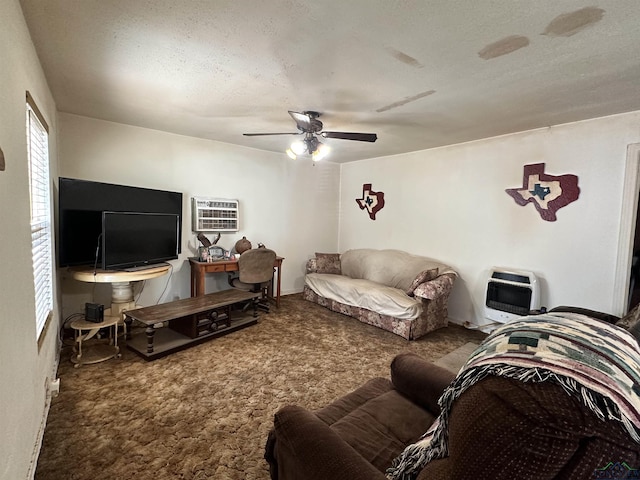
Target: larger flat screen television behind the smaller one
80,207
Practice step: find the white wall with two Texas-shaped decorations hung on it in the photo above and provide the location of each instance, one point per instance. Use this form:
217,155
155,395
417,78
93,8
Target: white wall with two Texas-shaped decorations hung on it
450,203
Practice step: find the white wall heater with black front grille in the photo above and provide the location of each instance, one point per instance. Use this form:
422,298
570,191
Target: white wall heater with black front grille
511,294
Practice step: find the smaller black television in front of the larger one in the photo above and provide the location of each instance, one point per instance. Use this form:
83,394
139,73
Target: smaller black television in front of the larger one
134,239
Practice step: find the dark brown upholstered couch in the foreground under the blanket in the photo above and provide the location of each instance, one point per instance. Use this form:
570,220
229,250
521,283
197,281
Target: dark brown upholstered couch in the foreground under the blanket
498,429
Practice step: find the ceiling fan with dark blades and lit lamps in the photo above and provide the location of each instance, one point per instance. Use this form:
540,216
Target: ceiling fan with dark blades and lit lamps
309,125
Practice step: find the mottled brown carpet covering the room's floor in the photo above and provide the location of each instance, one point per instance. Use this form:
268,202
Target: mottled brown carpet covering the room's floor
204,412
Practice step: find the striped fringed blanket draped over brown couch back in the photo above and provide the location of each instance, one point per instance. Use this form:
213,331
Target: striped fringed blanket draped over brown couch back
596,362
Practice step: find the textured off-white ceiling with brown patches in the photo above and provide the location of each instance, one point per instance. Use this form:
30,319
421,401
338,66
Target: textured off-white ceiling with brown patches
418,73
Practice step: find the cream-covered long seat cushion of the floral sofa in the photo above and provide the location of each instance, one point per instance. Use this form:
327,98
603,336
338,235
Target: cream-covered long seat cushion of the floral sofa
365,294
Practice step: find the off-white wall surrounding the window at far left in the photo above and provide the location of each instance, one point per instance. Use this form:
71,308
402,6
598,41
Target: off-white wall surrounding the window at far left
24,369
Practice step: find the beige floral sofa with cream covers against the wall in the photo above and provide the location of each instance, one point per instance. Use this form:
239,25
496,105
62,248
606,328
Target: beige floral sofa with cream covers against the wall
394,290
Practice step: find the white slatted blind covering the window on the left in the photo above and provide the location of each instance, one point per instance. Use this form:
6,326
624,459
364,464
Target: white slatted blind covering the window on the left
41,231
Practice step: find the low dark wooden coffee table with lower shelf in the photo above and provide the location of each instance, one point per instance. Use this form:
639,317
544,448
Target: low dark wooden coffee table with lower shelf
176,325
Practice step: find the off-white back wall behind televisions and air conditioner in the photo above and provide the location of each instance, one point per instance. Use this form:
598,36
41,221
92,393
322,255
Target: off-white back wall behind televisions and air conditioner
290,206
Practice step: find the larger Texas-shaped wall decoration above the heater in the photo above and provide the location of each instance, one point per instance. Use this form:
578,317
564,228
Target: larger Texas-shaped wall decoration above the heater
548,193
